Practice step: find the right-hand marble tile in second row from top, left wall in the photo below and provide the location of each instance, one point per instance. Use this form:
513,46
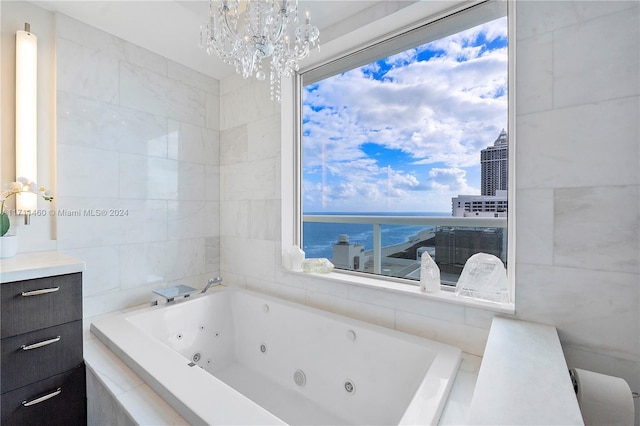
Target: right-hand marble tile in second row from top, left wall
153,93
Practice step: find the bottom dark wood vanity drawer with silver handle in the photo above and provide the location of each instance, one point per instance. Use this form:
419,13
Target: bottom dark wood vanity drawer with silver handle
65,408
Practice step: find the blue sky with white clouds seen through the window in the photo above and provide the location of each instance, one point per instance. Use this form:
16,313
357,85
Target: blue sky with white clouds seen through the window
404,134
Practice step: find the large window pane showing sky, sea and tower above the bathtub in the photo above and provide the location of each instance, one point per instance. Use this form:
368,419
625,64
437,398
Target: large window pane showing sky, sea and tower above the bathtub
404,149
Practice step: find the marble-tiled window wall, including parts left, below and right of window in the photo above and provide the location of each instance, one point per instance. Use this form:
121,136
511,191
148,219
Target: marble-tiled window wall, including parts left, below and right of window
577,195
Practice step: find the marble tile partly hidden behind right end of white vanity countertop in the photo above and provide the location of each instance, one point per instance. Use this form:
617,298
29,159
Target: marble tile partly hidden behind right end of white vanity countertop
101,273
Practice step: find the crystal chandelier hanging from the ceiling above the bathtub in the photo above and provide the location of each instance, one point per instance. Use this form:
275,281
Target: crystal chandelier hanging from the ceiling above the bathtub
243,33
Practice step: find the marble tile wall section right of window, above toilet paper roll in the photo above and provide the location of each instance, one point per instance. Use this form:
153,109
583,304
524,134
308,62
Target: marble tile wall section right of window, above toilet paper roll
577,173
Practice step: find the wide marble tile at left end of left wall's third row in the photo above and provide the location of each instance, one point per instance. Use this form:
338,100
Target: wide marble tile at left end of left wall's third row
92,123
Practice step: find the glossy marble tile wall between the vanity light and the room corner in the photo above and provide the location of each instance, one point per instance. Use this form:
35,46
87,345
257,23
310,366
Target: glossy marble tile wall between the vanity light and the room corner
137,138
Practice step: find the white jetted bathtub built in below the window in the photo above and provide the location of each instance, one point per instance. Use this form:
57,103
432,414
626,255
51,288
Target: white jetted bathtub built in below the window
237,357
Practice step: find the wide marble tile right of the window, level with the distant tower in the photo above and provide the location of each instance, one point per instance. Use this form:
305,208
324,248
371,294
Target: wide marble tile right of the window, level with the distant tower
549,142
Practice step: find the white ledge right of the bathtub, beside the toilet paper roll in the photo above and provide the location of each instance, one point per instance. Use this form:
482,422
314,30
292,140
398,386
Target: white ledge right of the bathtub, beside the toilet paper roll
523,378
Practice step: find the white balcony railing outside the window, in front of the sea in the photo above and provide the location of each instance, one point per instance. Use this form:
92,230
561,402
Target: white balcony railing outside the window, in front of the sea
439,223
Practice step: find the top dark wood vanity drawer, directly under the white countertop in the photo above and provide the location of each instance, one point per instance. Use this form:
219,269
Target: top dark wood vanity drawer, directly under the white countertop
43,302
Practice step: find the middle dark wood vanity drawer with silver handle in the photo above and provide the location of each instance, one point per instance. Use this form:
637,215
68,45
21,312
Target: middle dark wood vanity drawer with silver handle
46,352
